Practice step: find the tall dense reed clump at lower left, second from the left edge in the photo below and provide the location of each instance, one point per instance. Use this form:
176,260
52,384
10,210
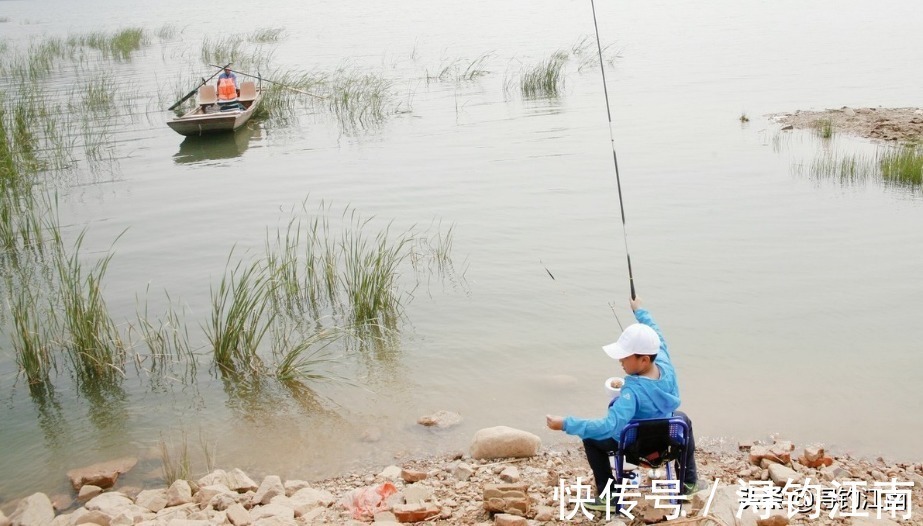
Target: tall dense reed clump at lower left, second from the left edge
92,338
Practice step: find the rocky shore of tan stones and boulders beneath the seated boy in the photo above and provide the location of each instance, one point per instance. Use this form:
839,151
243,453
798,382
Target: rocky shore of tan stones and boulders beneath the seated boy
507,478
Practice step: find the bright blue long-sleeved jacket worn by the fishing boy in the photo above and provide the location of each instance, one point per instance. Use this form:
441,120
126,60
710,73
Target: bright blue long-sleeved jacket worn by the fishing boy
641,397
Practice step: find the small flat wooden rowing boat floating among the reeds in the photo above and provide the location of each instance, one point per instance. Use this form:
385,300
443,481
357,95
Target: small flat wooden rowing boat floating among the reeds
213,116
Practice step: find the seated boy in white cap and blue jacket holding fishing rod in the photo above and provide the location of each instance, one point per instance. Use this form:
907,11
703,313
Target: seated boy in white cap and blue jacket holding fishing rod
650,390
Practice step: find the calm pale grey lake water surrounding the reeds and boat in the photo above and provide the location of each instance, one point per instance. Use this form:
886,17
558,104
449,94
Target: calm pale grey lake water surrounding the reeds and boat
790,303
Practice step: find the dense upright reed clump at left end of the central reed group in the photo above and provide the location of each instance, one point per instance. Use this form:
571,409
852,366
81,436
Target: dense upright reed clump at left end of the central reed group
239,319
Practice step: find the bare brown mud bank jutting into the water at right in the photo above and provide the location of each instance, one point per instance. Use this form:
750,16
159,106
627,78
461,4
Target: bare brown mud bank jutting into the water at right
886,124
